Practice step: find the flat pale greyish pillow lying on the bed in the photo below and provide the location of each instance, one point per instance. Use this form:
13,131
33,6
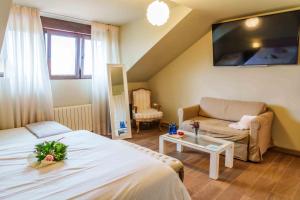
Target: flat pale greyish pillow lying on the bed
47,128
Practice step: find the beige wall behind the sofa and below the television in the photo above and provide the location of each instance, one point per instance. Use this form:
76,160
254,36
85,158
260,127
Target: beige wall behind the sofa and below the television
191,76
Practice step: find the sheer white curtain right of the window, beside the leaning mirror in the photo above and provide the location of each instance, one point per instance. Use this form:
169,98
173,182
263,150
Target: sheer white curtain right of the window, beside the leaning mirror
105,50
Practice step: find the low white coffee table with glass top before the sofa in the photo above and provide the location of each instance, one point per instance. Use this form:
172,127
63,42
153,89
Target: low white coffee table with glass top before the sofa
204,143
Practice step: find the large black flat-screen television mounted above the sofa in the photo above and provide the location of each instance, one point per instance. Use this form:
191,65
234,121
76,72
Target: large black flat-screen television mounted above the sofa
263,40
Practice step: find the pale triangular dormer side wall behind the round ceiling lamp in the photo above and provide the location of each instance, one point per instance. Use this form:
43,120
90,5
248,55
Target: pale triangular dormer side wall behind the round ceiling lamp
132,36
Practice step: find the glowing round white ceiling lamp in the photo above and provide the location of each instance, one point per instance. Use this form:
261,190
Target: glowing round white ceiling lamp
158,13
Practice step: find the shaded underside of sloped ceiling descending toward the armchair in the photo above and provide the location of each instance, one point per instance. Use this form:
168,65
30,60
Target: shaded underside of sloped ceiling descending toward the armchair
182,36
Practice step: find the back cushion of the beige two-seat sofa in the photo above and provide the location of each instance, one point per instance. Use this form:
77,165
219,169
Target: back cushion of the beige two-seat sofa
231,110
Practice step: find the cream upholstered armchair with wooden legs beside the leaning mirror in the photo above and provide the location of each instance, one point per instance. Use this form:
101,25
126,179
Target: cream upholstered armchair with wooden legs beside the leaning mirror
143,111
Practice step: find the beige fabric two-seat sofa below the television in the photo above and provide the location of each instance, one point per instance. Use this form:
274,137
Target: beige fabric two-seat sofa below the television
214,116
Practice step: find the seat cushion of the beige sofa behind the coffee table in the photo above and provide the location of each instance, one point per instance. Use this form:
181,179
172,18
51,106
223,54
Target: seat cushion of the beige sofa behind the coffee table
216,128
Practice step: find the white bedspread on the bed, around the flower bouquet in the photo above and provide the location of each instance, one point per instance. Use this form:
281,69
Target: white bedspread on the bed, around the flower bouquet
97,168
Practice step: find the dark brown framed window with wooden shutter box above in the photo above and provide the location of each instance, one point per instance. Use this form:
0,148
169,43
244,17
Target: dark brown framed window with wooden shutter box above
69,49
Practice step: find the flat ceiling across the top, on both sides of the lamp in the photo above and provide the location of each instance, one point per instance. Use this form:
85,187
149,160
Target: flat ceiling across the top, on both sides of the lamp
119,12
